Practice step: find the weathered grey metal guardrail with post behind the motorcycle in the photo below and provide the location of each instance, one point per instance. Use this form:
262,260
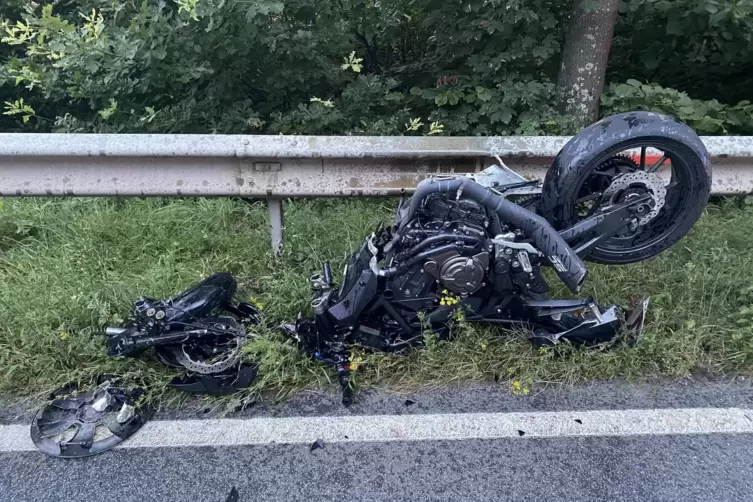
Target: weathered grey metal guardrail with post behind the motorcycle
276,167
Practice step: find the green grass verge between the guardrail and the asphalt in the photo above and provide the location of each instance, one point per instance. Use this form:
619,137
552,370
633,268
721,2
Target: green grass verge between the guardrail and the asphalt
70,267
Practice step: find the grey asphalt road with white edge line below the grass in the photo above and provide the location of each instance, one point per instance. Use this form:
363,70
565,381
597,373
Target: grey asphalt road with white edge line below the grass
682,441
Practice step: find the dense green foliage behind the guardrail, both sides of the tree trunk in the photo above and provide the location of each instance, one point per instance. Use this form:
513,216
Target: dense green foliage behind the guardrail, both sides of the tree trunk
476,67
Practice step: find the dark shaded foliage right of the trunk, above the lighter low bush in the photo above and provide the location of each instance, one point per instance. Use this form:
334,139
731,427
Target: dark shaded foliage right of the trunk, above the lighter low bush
703,47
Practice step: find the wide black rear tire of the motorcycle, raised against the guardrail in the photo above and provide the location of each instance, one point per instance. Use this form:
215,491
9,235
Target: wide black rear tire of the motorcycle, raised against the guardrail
586,151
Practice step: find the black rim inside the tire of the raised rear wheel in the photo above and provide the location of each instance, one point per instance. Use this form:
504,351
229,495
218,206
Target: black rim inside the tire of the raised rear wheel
652,157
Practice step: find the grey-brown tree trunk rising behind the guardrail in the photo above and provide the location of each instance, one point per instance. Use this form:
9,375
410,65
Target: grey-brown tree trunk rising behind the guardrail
585,57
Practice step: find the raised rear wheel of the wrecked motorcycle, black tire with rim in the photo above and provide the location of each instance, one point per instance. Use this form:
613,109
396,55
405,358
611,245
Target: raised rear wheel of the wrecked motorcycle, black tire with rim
595,159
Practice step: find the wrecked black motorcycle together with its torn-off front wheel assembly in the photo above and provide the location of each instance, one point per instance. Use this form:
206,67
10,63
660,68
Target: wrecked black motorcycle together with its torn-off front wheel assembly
621,191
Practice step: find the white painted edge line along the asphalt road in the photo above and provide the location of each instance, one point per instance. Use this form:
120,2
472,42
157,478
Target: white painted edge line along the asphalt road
380,428
